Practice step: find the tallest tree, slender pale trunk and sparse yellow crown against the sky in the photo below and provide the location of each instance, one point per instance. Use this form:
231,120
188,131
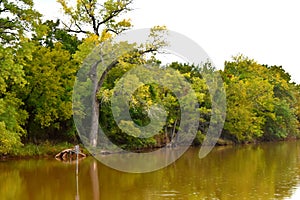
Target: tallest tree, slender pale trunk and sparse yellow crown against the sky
96,21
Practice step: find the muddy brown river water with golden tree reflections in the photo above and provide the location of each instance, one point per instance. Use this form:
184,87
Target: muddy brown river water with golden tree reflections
268,171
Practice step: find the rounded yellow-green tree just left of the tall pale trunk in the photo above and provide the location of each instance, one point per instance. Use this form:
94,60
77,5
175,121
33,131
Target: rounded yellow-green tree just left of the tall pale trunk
50,74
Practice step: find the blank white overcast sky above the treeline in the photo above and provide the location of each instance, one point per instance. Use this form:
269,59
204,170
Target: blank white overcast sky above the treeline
267,31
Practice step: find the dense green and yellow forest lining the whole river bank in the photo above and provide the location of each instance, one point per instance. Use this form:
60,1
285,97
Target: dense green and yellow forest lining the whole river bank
40,60
